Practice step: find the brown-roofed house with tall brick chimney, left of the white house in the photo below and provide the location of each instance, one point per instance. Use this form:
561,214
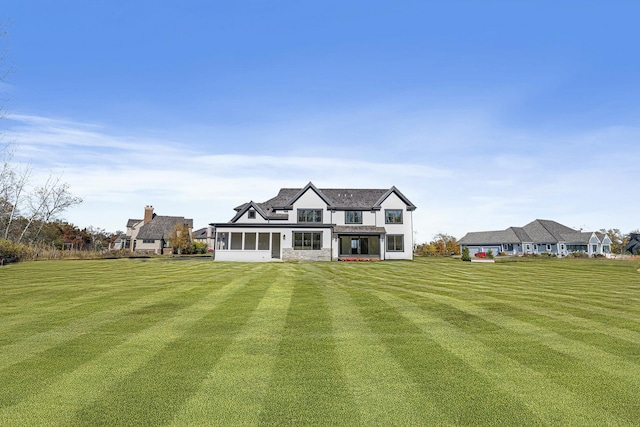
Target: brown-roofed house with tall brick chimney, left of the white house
151,234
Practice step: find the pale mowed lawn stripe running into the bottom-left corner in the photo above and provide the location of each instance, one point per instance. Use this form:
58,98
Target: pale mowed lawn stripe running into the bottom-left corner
92,381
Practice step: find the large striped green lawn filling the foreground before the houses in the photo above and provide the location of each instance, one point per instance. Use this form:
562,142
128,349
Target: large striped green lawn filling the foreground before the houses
429,342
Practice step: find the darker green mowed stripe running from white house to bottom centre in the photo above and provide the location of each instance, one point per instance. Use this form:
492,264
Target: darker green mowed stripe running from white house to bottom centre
308,384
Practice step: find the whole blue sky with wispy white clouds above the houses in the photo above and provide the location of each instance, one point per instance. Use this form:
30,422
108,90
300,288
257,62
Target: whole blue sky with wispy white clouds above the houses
486,114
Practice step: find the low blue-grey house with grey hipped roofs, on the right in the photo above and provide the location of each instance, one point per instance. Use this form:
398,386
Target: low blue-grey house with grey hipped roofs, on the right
539,236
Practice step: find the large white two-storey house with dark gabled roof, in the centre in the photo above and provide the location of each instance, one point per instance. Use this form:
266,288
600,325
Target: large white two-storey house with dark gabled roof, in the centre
319,225
